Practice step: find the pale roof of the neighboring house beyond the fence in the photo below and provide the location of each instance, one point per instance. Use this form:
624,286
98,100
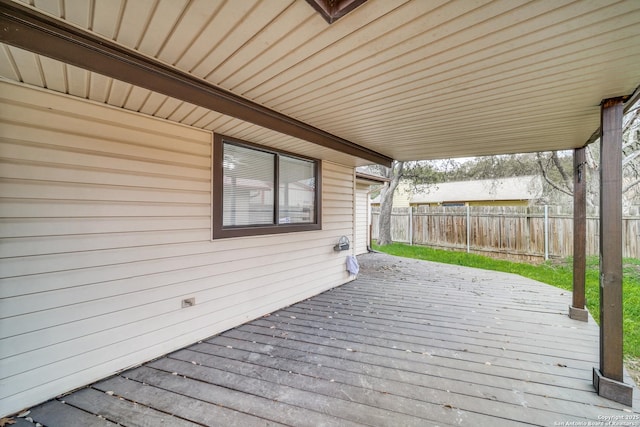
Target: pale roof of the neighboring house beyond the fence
516,188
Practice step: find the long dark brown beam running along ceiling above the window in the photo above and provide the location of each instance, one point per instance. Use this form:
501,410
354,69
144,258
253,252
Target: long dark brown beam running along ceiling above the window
25,28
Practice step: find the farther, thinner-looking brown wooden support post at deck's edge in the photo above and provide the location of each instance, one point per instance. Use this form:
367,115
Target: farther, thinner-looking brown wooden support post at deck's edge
577,310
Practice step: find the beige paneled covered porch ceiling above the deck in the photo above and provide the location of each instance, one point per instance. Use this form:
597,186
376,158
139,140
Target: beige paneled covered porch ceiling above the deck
393,79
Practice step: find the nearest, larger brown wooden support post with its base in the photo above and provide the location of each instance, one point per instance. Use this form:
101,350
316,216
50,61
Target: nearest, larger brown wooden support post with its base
608,380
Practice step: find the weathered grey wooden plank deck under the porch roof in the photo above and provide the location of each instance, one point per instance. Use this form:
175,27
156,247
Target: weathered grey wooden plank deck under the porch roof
409,343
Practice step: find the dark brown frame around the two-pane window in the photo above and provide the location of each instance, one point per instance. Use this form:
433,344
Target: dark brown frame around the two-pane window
220,232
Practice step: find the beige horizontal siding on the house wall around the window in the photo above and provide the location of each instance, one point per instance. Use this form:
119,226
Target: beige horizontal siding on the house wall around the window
105,226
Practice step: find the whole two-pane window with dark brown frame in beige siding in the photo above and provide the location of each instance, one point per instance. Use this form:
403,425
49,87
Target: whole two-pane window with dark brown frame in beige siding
258,190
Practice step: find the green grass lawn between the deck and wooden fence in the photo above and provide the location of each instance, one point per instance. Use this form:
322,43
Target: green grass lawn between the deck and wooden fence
558,273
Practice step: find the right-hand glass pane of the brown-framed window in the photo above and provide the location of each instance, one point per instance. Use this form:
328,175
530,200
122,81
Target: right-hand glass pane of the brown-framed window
297,195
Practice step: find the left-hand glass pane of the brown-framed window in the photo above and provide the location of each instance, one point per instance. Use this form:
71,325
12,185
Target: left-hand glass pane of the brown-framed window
248,196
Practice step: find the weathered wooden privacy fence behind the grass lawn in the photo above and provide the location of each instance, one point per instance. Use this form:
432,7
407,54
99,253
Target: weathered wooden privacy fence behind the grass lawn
510,232
